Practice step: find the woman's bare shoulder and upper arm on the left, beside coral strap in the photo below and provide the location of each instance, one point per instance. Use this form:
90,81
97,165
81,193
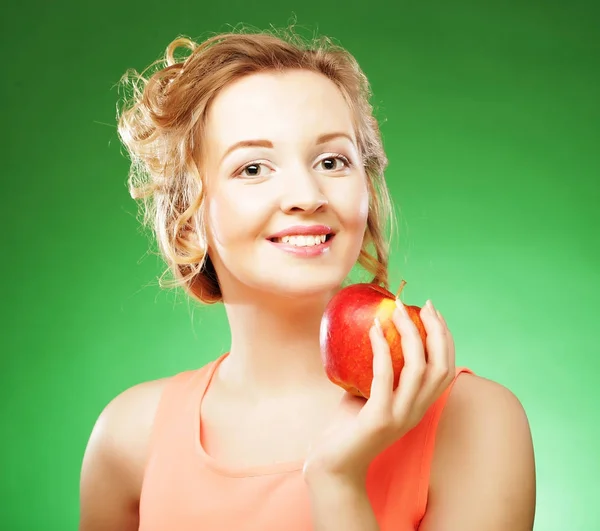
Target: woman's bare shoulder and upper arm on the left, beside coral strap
115,457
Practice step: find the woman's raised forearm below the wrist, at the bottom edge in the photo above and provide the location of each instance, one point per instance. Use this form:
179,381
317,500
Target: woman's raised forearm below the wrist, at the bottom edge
338,505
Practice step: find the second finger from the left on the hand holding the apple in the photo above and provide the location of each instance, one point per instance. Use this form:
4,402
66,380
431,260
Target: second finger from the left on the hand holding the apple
413,371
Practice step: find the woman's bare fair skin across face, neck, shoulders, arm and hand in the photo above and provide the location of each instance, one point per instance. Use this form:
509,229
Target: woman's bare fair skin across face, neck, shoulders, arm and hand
483,474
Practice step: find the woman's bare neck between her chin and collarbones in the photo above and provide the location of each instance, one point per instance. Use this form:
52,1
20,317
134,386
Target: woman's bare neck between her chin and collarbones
274,344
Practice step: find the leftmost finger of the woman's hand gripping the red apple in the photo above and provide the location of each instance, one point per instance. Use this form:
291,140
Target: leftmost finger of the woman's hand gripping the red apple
383,371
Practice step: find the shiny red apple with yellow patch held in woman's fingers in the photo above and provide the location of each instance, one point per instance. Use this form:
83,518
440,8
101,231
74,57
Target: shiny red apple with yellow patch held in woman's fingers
346,350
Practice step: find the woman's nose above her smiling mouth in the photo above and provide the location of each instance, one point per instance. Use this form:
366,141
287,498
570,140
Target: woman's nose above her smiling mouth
302,192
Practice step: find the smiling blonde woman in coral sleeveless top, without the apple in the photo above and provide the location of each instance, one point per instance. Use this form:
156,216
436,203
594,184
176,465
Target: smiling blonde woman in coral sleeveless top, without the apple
261,169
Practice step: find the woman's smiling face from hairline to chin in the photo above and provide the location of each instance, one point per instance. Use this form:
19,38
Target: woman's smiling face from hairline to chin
286,193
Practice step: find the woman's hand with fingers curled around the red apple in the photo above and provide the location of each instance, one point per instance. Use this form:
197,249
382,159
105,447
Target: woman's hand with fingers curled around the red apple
364,428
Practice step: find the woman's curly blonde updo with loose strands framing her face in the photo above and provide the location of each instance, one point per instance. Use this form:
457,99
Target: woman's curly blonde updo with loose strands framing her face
161,124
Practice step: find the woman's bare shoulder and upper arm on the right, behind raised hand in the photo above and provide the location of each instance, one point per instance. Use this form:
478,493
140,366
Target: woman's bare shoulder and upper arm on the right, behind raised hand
483,470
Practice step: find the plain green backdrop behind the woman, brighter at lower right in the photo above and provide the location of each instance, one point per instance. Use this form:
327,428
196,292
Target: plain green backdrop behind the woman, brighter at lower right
491,122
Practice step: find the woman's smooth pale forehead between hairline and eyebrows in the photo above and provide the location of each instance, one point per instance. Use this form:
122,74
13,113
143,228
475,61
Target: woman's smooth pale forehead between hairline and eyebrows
285,107
